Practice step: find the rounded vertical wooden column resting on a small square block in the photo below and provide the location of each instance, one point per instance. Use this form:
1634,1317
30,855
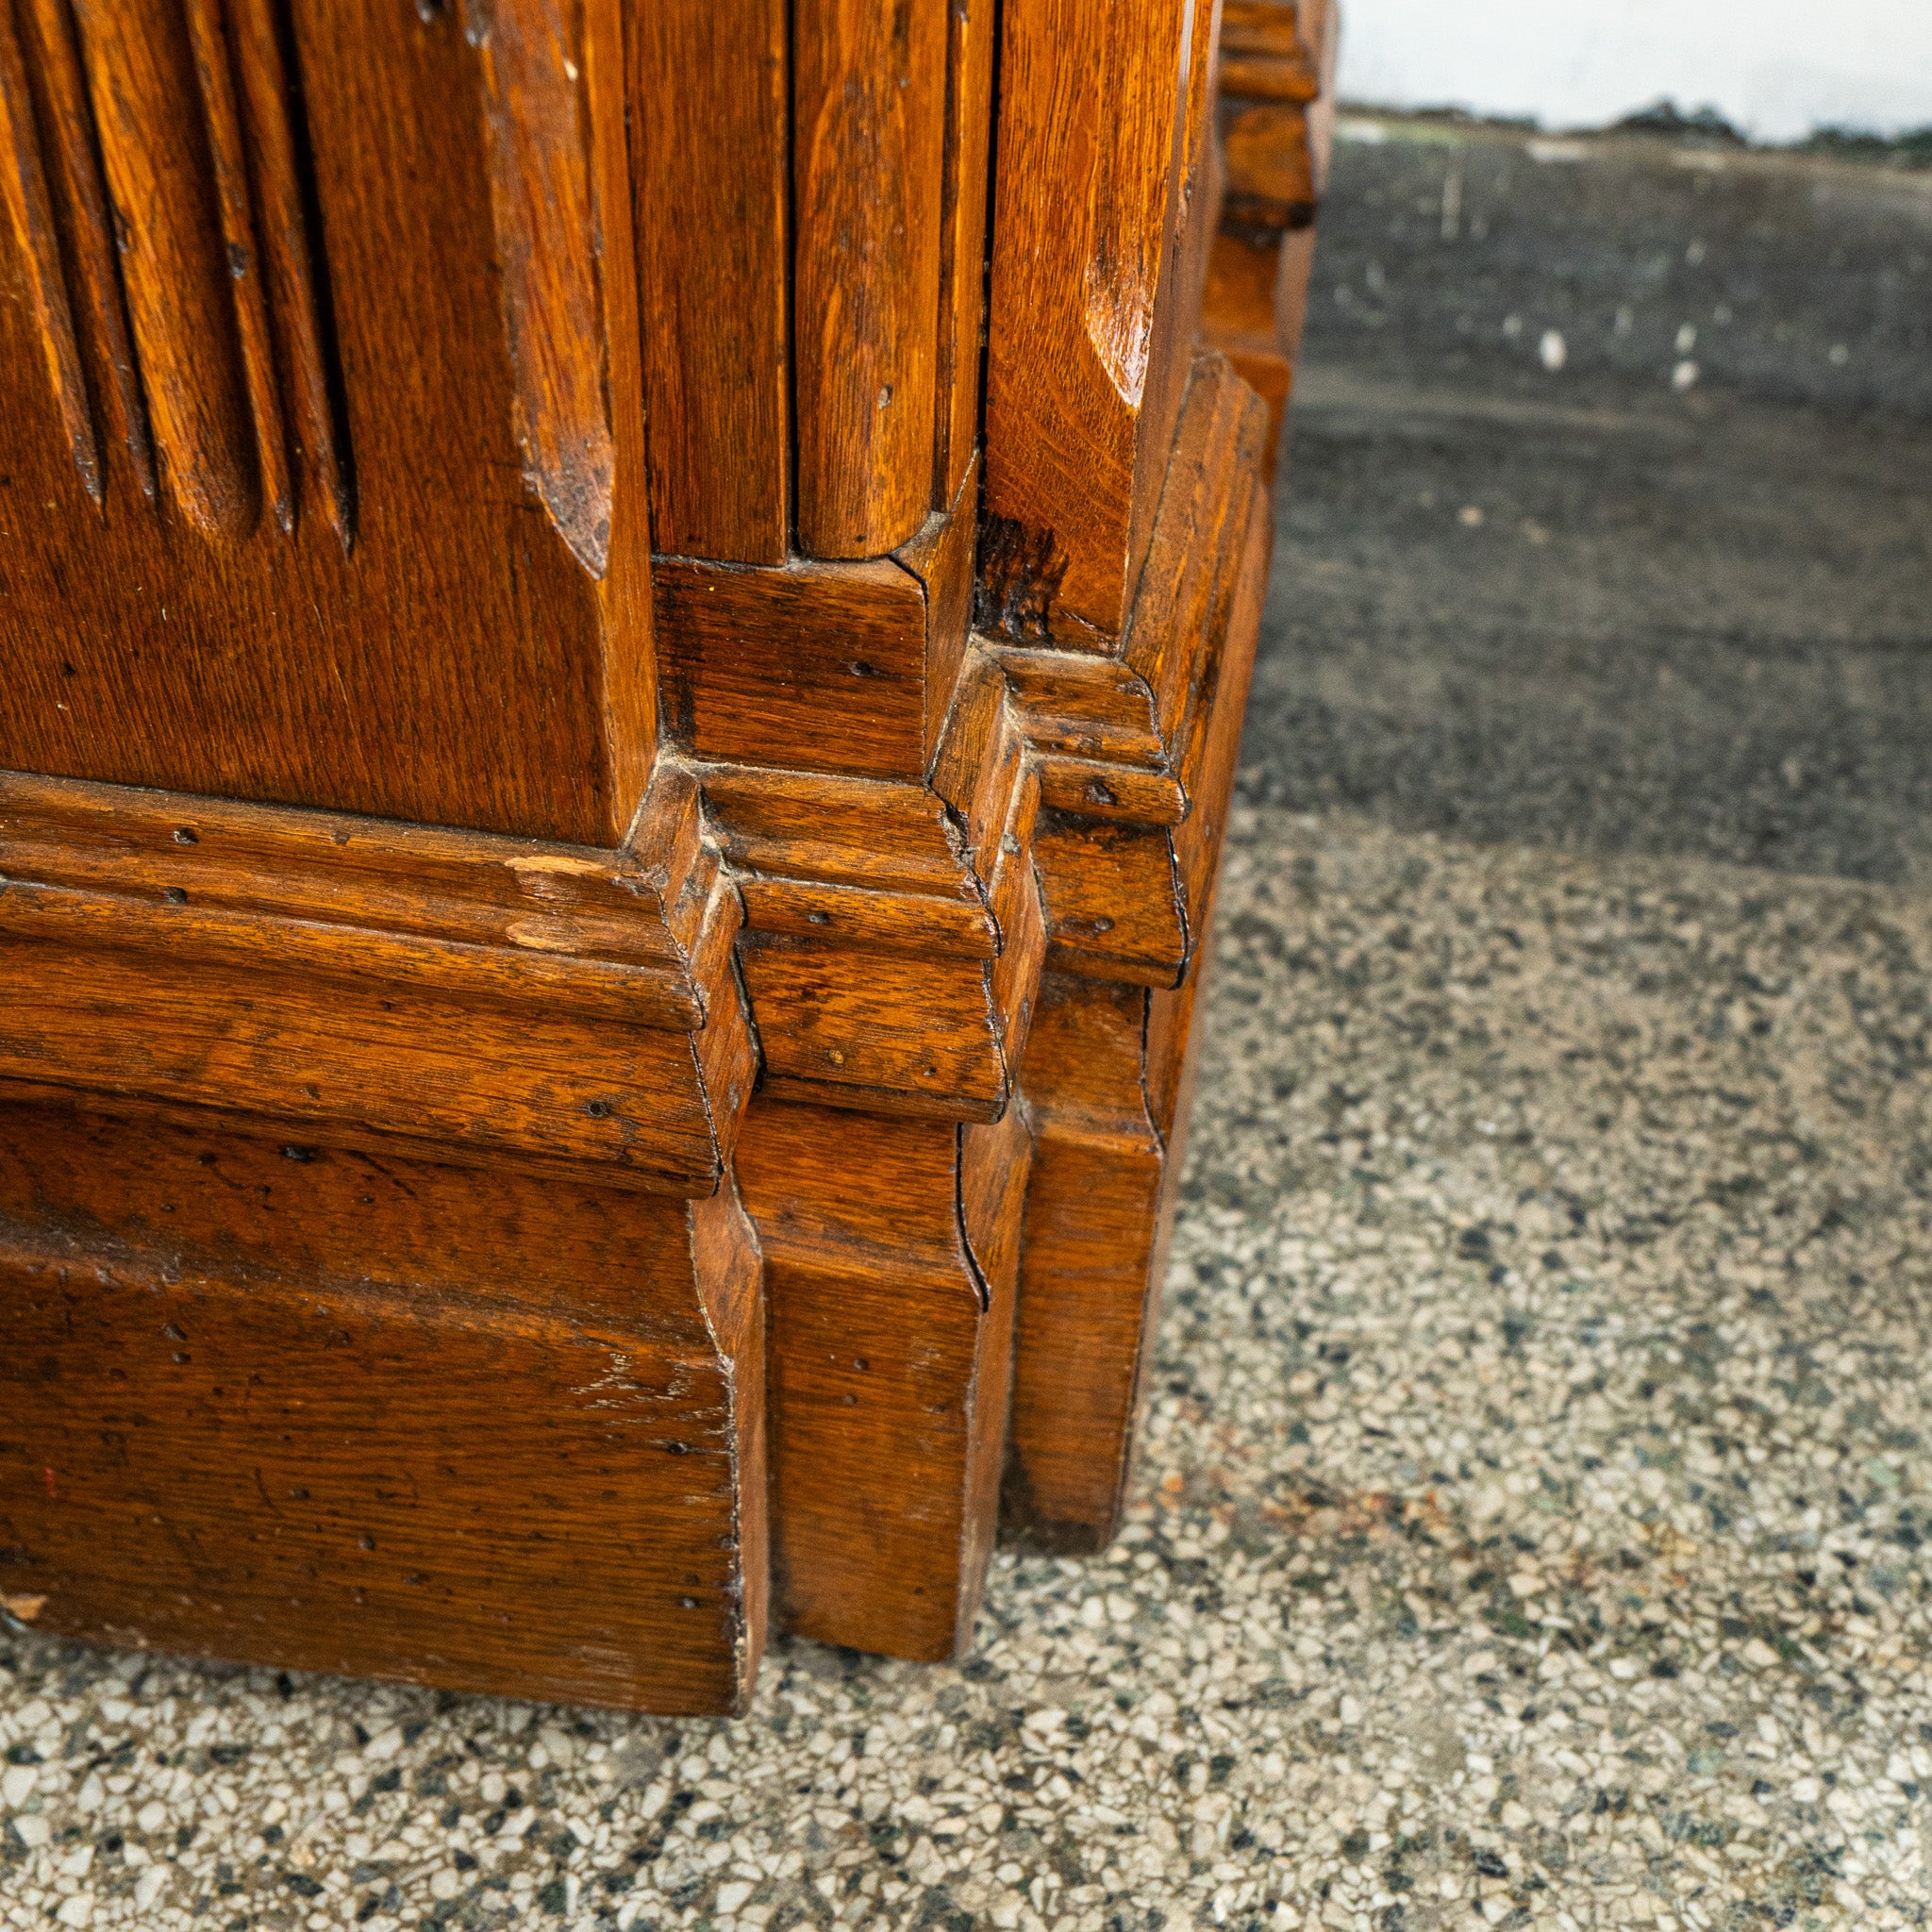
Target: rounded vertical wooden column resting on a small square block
868,177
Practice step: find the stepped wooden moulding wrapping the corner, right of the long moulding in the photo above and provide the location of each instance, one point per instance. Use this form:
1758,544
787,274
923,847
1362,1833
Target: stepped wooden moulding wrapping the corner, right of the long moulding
895,932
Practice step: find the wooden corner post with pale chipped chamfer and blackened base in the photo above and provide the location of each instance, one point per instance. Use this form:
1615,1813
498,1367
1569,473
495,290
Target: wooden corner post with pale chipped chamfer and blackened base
1085,368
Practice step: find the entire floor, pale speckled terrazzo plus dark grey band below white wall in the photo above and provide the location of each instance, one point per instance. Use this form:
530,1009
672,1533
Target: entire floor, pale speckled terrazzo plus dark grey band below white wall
1535,1525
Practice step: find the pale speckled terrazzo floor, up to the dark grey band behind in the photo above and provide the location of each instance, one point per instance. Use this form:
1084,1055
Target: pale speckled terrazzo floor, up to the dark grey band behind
1535,1525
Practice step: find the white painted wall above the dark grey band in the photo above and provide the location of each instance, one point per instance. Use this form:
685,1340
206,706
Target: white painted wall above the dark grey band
1775,69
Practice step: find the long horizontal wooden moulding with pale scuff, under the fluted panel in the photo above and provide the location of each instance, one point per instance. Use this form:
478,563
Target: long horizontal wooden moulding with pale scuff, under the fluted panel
362,984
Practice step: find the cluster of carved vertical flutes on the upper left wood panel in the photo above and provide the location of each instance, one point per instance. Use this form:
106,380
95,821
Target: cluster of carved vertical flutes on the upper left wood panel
152,175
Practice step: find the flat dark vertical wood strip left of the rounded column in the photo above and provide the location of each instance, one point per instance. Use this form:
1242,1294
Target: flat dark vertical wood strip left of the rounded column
710,96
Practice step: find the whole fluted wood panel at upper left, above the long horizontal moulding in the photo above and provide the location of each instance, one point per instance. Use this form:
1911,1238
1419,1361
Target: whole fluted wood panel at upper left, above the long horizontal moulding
320,306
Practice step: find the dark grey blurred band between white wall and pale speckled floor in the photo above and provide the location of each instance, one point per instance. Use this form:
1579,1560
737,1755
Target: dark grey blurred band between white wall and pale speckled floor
1690,619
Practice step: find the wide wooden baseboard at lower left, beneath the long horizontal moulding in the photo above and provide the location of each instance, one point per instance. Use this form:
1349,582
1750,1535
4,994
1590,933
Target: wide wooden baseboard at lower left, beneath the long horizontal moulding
380,1417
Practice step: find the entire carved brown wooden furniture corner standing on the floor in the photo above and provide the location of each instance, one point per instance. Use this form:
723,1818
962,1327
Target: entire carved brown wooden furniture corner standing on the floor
623,640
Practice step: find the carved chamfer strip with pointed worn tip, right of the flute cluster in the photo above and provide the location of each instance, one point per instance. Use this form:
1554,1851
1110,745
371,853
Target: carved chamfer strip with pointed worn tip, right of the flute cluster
542,206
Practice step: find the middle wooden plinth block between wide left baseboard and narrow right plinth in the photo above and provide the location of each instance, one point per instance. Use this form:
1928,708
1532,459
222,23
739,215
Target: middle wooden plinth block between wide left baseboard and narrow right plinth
892,1330
